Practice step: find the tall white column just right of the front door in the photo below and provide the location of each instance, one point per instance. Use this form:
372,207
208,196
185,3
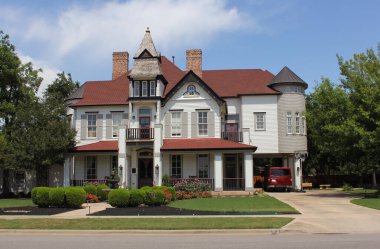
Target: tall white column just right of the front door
157,162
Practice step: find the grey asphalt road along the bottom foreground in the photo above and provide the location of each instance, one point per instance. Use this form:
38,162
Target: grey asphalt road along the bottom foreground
80,240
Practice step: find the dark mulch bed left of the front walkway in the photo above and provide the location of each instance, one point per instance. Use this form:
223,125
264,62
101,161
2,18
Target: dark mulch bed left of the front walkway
33,211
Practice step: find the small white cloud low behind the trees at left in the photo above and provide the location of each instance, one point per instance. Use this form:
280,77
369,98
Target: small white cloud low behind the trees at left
48,74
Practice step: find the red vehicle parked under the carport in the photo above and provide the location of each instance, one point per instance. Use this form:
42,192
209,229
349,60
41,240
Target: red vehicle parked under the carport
278,178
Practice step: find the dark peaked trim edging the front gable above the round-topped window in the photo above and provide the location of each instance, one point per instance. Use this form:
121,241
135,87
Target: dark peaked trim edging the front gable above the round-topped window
192,77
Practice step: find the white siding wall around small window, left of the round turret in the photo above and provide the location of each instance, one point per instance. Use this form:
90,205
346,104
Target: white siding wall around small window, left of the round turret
266,141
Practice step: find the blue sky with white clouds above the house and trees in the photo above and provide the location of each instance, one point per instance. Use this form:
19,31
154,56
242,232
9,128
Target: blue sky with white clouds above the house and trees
80,36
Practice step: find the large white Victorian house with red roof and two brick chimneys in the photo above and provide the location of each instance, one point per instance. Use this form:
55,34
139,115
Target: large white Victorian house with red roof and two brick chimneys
156,120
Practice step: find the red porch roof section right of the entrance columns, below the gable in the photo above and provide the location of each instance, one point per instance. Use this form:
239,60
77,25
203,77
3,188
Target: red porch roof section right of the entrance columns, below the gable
203,144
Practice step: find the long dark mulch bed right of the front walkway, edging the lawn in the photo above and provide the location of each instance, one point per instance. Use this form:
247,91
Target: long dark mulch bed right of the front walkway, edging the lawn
157,210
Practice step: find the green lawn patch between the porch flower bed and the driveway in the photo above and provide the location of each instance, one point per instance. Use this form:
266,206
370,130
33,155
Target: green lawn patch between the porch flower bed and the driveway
236,204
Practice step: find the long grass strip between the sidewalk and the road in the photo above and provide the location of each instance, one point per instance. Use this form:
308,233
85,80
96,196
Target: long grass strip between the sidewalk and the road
147,223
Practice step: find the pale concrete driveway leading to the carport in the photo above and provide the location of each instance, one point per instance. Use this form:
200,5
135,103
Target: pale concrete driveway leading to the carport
327,211
